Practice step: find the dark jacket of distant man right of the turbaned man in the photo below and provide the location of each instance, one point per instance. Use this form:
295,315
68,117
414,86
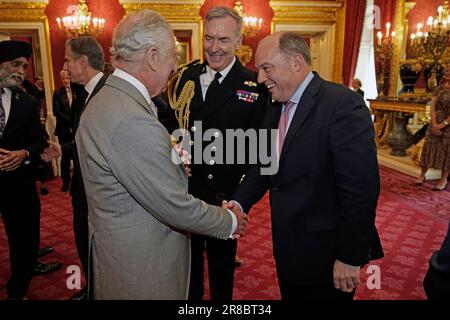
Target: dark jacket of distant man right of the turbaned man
62,111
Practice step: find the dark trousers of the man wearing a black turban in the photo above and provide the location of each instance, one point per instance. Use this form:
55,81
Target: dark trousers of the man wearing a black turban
20,209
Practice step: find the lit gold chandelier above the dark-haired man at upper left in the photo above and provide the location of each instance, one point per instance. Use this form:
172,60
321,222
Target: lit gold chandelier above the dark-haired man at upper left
78,21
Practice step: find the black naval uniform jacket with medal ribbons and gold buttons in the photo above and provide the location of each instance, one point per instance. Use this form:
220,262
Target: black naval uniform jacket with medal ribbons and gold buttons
214,183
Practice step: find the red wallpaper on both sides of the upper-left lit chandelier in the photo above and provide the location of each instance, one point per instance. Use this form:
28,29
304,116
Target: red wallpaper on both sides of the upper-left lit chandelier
111,10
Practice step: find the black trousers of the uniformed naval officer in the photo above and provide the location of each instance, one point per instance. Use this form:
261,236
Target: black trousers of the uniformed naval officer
221,265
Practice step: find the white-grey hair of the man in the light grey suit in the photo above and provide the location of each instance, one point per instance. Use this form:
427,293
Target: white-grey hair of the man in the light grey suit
139,32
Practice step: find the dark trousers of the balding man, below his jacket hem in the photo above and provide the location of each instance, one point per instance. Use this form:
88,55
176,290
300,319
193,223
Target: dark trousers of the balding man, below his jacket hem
290,291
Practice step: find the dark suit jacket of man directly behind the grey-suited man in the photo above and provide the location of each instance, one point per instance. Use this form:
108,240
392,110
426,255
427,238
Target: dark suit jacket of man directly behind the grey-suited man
78,106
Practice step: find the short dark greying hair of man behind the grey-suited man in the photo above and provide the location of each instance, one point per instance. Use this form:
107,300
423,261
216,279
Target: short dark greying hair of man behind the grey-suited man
88,46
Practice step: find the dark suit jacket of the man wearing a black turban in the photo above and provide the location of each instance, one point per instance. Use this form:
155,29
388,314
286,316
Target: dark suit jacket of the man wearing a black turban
23,131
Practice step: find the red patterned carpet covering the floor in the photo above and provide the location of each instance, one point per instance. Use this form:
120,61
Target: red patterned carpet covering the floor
411,221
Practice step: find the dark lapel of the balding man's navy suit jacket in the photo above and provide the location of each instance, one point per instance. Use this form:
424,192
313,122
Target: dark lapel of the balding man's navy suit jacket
304,107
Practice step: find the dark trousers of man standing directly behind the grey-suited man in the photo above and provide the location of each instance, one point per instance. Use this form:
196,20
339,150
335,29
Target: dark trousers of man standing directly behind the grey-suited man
81,229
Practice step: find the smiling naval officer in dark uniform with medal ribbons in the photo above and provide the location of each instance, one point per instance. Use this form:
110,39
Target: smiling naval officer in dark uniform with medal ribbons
226,97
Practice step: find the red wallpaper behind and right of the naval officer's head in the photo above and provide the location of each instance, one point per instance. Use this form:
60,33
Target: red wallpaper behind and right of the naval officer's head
258,8
